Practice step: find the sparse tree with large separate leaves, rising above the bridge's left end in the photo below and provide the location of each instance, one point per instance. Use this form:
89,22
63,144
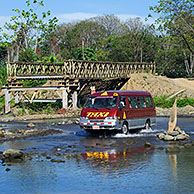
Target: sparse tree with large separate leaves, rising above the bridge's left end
29,30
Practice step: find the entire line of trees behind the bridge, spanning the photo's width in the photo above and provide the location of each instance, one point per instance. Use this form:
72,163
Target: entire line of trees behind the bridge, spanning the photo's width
169,42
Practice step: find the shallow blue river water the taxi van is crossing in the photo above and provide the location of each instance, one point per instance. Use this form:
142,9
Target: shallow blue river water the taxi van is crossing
76,162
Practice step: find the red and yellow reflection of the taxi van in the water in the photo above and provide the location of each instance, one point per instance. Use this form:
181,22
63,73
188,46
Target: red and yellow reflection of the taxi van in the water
112,161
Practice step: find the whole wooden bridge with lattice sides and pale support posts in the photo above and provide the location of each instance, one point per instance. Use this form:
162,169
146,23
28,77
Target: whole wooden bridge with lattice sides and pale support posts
69,79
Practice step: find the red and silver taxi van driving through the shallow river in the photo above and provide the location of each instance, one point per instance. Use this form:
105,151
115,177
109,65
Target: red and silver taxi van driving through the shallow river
118,110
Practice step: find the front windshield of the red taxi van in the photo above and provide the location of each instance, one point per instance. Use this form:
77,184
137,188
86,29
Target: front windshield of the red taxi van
97,102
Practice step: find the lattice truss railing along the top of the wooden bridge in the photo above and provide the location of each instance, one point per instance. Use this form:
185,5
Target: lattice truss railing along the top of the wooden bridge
76,69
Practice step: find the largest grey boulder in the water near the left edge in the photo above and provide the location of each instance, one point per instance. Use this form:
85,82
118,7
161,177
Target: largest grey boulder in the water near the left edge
13,154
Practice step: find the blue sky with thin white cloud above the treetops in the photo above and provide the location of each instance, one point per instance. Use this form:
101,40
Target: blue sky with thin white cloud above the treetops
76,10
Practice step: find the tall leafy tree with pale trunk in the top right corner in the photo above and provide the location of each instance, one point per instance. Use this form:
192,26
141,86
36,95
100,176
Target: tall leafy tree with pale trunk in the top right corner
177,19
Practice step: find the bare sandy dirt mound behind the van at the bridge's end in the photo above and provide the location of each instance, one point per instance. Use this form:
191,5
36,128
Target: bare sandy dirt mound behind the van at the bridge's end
159,85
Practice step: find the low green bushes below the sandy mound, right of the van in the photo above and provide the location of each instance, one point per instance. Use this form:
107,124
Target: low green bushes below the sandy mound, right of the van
163,103
